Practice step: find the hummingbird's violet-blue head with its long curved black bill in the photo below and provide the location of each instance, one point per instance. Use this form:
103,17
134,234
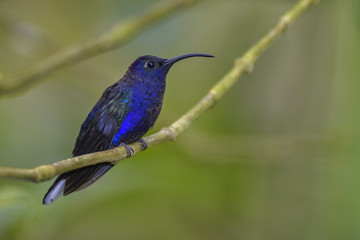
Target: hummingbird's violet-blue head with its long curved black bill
150,67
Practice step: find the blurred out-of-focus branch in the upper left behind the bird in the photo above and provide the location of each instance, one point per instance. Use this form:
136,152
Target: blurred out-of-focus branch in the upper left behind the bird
115,37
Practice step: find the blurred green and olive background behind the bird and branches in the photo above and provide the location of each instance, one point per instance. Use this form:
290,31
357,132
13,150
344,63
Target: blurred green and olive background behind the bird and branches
277,158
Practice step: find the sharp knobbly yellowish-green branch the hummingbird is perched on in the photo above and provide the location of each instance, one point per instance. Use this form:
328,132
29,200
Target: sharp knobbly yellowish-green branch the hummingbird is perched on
242,65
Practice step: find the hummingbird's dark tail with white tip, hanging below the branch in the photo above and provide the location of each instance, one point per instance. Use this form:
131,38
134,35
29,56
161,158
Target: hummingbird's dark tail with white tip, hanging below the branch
75,180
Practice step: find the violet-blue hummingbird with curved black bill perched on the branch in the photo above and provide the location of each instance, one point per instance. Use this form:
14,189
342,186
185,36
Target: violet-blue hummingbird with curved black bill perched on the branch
124,113
